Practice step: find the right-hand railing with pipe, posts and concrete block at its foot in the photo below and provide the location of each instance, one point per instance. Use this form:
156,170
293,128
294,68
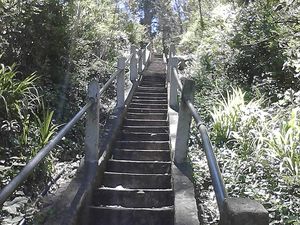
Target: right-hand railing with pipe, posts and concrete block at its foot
247,210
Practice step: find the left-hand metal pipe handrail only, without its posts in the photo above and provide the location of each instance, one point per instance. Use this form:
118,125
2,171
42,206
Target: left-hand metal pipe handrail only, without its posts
34,162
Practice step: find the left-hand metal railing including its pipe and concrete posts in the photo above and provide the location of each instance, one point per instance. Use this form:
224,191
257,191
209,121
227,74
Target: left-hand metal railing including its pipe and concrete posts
137,62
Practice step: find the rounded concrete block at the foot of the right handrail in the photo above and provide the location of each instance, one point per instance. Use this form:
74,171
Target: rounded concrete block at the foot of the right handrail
241,211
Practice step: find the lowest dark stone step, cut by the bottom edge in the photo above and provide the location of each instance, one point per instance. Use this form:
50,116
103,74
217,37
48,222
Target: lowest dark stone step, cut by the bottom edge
131,216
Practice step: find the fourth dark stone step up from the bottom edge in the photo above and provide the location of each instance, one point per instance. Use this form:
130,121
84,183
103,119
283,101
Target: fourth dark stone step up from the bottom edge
139,167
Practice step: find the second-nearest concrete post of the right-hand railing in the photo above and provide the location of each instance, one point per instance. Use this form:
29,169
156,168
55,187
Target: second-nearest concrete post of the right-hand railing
173,84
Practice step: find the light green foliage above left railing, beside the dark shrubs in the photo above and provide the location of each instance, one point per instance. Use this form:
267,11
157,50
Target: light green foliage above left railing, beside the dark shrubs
100,32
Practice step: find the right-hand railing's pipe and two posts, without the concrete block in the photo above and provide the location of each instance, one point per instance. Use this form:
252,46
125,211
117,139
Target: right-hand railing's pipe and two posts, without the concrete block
187,110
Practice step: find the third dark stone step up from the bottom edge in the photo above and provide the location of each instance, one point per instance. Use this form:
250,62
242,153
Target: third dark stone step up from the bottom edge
137,181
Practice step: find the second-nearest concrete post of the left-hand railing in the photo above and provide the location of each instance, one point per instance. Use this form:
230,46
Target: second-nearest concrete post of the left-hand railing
121,82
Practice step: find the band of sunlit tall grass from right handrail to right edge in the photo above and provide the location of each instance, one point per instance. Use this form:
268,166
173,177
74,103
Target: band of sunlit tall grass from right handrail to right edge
251,129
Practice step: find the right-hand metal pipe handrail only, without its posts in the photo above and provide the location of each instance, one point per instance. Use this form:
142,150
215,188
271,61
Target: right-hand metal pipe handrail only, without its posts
214,169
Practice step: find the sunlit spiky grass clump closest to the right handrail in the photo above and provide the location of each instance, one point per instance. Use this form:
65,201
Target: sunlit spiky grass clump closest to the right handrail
235,120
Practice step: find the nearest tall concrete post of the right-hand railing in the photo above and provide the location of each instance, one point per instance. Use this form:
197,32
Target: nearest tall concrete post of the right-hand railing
184,122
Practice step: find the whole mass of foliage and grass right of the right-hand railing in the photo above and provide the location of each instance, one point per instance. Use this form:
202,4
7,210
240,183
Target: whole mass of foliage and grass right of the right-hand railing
256,139
